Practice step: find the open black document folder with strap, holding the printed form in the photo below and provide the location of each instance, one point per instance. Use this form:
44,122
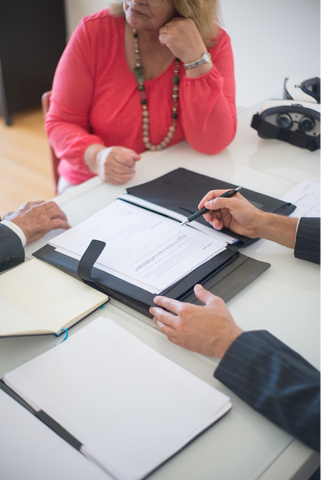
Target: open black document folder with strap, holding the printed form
225,275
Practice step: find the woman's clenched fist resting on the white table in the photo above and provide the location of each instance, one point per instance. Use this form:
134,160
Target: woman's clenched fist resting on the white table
114,165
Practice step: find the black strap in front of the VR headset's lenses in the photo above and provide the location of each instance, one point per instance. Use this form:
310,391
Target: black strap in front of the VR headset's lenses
297,138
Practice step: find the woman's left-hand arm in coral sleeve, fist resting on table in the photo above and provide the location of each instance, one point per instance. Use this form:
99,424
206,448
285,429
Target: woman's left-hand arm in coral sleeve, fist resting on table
68,120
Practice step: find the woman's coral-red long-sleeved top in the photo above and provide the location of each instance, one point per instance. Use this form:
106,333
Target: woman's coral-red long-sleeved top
95,99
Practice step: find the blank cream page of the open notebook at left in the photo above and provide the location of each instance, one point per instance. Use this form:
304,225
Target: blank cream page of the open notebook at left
36,297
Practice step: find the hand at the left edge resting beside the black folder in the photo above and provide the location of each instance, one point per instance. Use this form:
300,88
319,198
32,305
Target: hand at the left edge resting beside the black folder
38,218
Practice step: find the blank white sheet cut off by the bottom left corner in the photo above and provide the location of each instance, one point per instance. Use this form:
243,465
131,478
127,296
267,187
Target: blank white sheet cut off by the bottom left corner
29,450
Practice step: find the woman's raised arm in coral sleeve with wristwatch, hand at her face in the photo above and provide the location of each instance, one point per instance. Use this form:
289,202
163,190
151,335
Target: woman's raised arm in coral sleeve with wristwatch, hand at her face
207,92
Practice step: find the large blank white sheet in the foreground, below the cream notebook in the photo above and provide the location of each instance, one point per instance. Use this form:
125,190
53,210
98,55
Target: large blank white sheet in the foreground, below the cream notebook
128,405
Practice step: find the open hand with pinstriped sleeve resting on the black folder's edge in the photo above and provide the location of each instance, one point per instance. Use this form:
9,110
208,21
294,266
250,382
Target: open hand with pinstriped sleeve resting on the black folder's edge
208,329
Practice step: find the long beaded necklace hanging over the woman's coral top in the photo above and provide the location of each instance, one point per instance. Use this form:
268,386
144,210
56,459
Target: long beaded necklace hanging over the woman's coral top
139,73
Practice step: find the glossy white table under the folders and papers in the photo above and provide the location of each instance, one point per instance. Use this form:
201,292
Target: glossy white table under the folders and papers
284,300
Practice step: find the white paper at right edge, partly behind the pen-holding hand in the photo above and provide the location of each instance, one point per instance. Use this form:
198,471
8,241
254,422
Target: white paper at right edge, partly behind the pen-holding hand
307,198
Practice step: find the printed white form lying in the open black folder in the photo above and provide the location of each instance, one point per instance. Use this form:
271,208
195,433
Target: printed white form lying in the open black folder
143,248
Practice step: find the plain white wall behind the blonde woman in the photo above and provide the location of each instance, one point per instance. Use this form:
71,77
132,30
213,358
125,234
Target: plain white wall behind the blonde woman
271,39
